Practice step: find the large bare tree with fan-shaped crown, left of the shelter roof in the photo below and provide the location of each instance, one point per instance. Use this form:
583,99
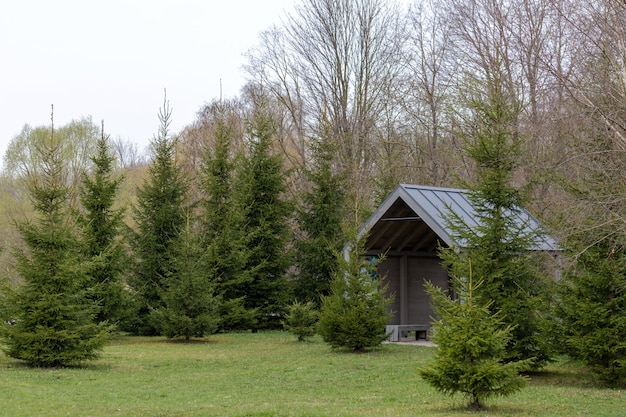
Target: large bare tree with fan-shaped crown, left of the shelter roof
331,64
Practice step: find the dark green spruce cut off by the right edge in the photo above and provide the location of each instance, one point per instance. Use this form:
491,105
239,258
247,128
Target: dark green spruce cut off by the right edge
591,312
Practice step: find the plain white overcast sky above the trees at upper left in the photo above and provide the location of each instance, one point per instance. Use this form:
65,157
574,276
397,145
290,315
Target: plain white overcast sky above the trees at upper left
112,60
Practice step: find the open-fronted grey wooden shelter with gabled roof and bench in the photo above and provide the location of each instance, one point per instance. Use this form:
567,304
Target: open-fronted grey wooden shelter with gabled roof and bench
408,228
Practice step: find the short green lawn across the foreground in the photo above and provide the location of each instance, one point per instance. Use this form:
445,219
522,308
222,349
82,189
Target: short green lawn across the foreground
270,374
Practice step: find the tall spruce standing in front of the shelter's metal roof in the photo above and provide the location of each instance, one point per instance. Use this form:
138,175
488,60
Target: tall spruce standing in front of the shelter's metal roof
500,247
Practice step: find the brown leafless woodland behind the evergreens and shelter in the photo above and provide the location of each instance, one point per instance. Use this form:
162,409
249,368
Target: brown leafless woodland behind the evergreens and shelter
390,89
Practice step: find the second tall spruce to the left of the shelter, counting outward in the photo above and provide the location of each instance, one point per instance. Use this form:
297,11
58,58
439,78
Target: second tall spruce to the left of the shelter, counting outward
260,193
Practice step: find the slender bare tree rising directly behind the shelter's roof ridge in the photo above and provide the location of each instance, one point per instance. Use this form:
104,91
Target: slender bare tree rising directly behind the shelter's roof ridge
427,93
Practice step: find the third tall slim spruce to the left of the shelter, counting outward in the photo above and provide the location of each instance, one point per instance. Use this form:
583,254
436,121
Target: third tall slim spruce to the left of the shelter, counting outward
222,235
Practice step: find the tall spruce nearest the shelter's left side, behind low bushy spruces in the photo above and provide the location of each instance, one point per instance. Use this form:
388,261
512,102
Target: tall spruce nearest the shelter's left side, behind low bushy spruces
320,224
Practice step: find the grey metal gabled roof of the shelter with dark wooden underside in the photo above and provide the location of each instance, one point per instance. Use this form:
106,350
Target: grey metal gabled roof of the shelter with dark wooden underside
413,219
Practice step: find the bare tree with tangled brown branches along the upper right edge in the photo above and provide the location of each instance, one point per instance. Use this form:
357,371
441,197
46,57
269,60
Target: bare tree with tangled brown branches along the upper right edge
597,85
